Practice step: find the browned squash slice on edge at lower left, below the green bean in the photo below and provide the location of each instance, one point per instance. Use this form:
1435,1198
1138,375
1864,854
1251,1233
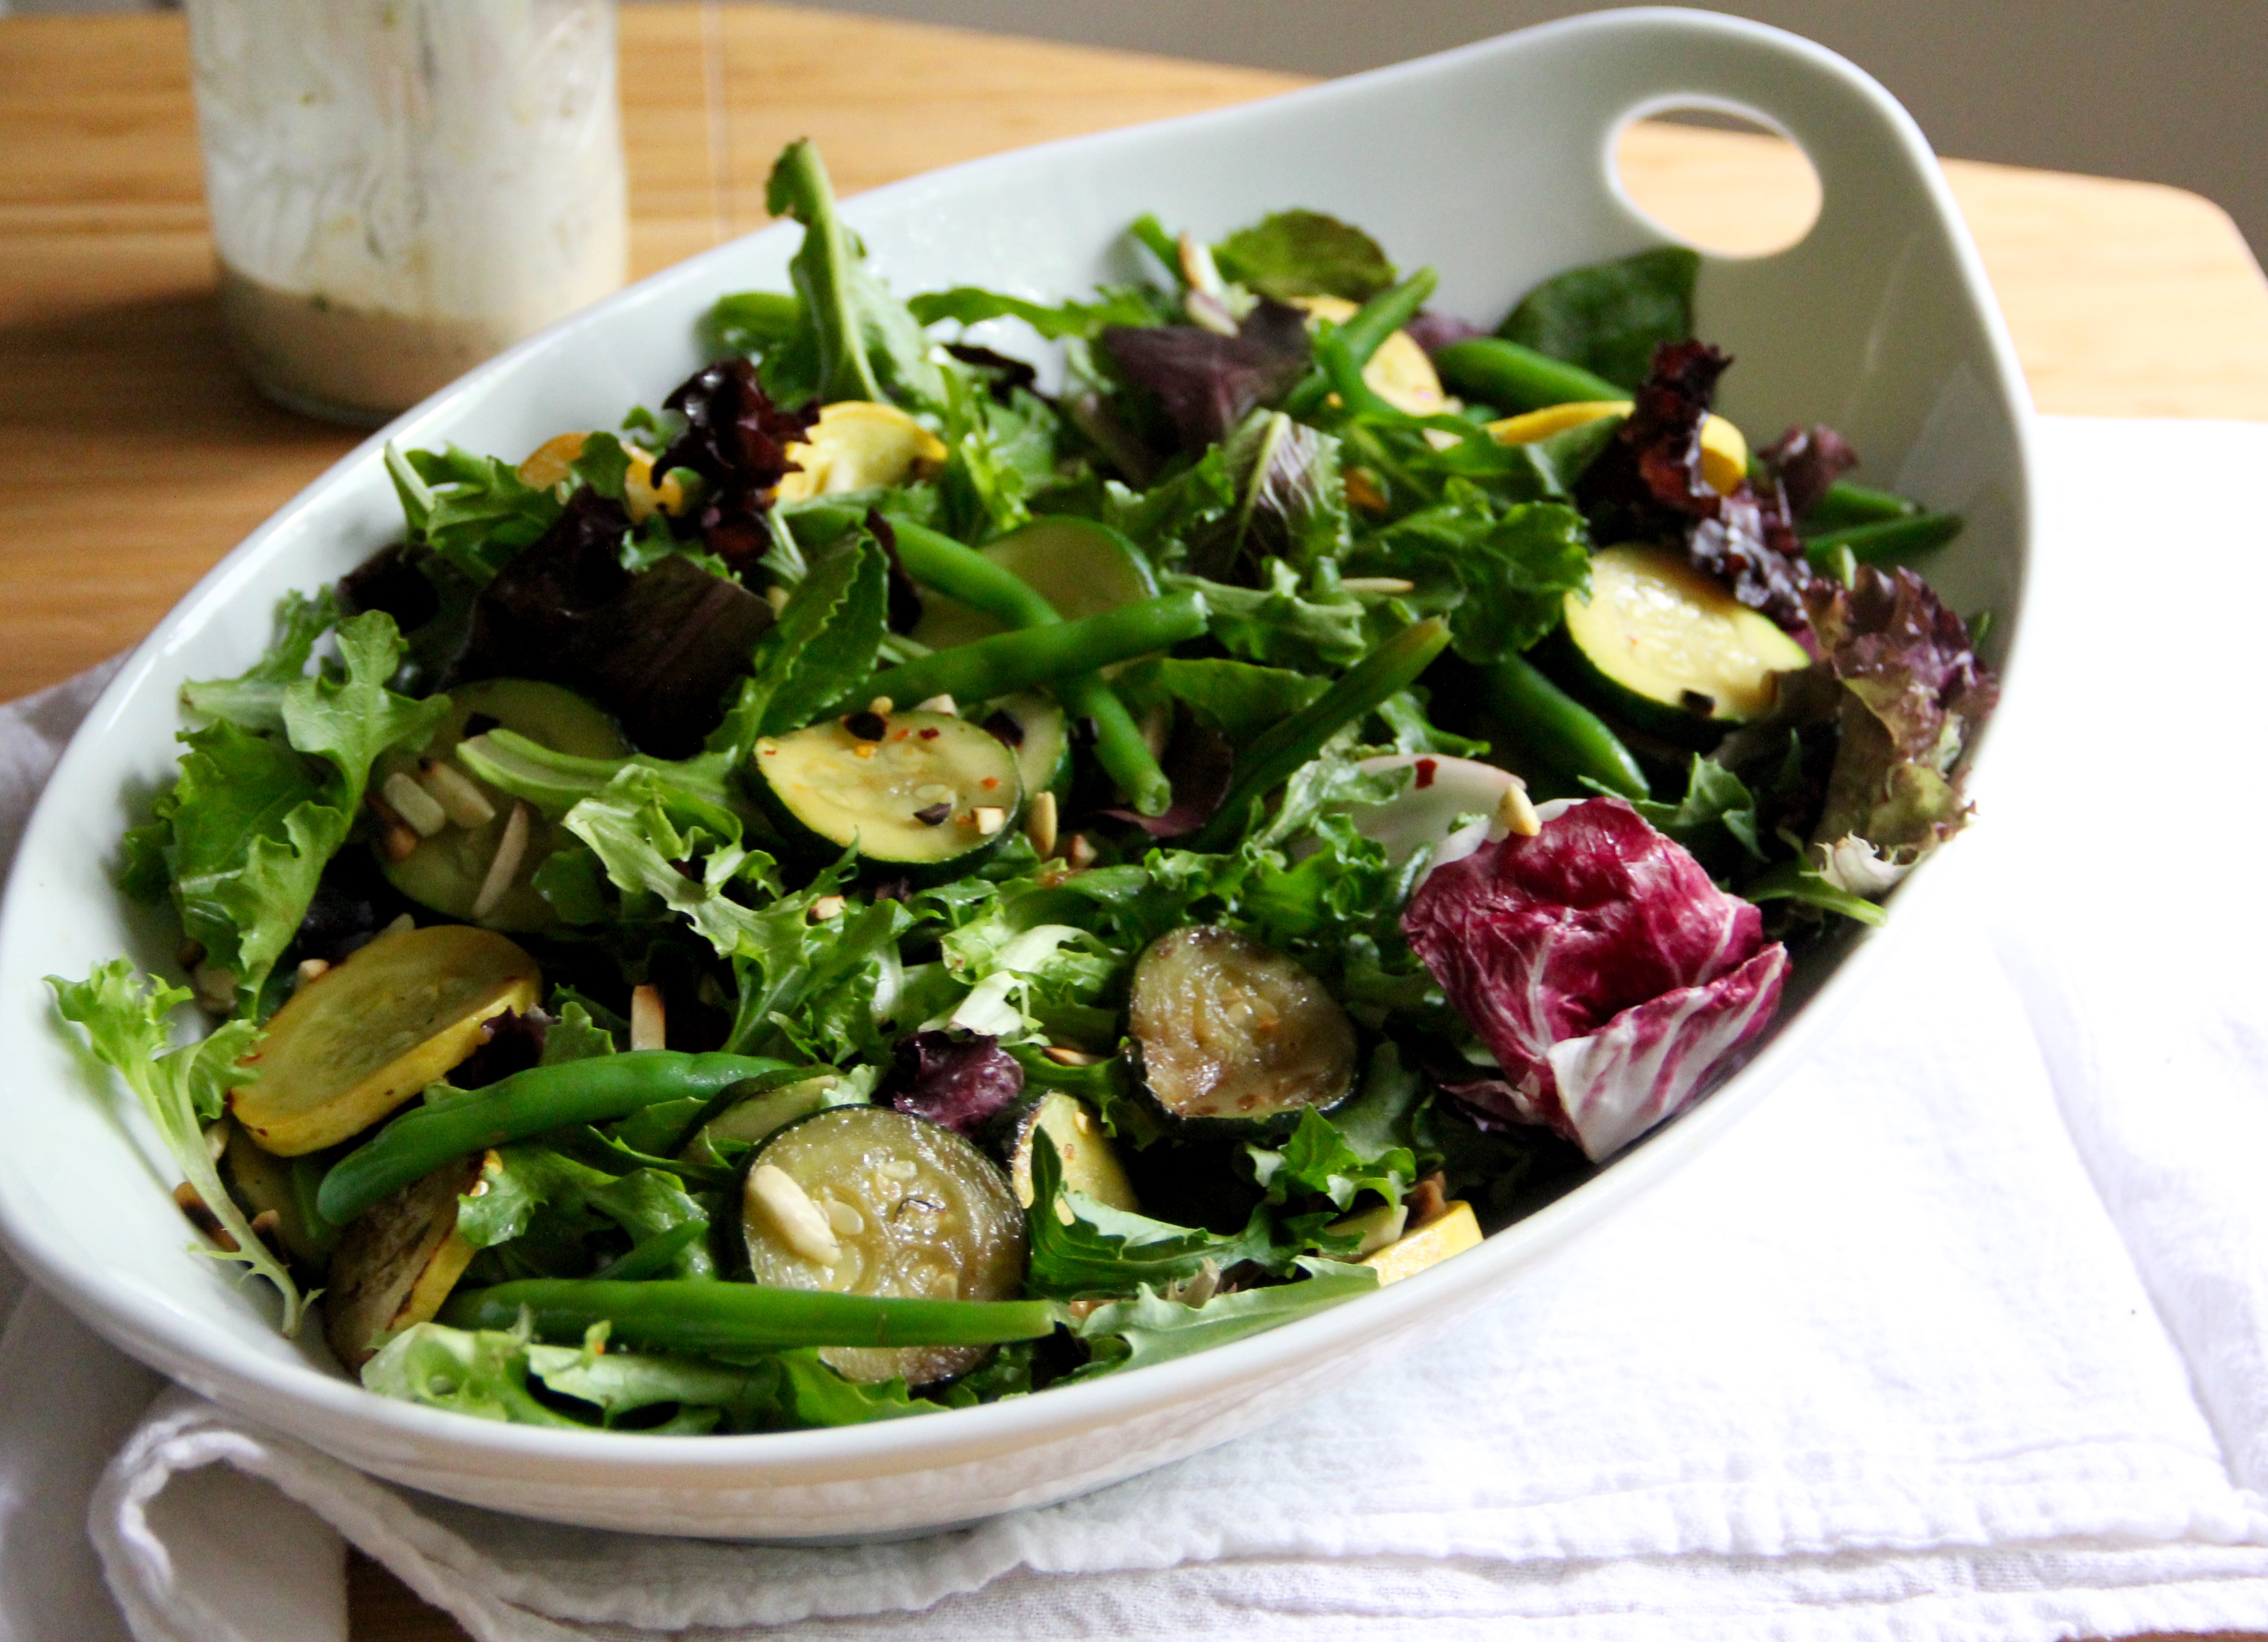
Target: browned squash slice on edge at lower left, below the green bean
398,1262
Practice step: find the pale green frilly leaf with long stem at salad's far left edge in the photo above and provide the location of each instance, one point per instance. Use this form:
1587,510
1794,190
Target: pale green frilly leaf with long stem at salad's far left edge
183,1090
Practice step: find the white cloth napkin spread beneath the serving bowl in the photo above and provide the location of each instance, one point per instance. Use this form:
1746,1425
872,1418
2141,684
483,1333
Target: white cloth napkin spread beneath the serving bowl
1963,1335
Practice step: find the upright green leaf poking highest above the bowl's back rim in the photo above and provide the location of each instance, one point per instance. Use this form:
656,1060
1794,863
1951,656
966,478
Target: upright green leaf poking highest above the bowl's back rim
868,344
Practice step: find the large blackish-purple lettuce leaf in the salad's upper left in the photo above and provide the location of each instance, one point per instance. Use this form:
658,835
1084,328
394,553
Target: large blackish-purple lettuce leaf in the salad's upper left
659,650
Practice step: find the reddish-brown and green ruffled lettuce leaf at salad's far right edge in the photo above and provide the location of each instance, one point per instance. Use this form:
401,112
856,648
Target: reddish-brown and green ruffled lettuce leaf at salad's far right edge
1913,695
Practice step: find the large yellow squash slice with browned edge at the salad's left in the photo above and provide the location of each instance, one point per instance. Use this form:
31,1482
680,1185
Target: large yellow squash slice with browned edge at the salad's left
371,1033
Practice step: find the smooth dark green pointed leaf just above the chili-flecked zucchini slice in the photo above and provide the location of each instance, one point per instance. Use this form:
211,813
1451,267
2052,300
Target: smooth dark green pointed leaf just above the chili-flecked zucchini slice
822,645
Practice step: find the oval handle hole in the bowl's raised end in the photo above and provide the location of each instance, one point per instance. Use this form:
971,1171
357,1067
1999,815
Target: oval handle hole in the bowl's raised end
1720,180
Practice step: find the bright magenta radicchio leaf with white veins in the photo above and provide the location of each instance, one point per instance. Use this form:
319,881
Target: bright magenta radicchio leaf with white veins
1600,965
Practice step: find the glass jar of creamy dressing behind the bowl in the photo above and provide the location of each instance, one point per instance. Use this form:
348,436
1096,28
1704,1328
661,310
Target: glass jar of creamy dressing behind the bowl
403,189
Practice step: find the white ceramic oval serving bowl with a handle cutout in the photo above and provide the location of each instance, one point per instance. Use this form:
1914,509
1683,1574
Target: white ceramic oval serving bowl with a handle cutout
1491,164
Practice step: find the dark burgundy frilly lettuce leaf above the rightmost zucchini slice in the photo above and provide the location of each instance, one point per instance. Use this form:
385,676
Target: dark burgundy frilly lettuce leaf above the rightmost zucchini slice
1648,486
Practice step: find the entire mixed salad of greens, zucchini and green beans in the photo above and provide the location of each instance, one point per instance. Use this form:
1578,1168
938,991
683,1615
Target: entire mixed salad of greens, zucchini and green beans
883,886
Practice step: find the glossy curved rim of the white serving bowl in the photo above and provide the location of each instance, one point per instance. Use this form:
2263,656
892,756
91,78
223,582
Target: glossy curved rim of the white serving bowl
248,1380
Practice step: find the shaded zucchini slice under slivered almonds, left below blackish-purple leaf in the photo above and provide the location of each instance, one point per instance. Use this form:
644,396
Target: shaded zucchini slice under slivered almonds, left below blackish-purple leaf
450,867
